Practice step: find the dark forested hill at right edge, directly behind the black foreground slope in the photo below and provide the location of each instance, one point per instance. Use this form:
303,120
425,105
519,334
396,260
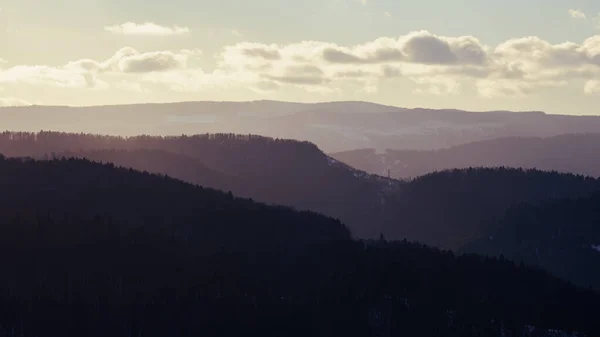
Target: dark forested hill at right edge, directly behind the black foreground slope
562,236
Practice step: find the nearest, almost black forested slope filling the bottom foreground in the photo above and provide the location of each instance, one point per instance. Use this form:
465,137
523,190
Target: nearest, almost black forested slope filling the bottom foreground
92,250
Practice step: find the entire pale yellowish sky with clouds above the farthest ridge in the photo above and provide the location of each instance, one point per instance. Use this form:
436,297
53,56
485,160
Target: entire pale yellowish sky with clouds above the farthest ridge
461,54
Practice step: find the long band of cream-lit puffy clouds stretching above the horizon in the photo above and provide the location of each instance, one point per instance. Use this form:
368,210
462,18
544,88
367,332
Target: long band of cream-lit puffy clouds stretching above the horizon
435,64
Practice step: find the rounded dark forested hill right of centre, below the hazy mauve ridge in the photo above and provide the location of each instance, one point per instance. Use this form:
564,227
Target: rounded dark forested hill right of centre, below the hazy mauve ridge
454,207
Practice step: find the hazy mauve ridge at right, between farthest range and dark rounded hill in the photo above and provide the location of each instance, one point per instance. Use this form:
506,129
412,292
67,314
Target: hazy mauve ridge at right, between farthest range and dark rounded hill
575,153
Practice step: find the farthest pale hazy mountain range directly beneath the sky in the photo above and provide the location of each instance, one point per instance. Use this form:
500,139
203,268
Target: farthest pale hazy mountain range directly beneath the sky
333,126
